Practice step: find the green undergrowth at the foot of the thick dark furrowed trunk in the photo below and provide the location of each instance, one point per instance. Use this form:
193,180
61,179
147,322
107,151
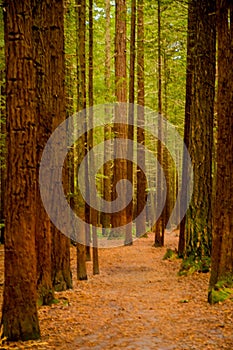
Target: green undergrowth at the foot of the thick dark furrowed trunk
193,264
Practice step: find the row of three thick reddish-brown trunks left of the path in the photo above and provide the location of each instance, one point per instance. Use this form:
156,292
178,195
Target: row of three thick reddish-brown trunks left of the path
36,254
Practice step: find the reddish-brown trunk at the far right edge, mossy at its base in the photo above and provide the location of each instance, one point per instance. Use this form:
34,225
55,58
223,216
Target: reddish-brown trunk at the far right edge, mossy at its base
222,251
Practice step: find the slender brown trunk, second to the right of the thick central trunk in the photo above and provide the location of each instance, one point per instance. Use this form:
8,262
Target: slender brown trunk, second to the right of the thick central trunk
141,180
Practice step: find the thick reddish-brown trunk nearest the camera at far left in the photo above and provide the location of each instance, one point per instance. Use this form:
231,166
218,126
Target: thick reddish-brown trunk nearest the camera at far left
19,313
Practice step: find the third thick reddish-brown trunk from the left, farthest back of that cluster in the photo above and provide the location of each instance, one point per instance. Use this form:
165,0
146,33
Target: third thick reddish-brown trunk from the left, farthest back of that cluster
61,273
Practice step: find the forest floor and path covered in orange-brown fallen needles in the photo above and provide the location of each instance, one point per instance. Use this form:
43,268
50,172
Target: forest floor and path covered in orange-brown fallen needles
137,302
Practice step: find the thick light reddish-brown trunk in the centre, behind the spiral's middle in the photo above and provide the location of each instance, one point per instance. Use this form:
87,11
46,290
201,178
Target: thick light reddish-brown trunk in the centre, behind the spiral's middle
120,129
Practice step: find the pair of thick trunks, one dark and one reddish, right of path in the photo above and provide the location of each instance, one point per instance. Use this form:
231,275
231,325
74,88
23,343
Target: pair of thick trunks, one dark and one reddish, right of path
206,231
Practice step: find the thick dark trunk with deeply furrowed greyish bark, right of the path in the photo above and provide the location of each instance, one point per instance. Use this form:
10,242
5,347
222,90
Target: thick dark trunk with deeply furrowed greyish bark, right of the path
199,215
